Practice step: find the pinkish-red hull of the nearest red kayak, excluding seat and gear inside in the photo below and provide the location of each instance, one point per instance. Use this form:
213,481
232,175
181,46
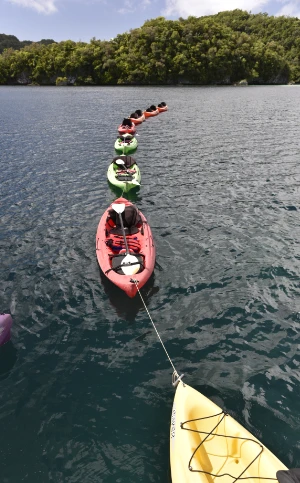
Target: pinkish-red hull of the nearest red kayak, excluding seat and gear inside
105,253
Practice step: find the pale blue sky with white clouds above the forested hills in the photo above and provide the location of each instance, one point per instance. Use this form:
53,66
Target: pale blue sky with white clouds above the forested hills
104,19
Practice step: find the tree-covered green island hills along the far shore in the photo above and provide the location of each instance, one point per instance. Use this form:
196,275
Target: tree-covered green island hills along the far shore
221,49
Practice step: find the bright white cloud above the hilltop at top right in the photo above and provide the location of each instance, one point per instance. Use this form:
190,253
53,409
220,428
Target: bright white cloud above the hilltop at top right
184,8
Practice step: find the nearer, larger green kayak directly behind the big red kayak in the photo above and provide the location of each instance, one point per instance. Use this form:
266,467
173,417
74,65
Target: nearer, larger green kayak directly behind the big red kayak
124,173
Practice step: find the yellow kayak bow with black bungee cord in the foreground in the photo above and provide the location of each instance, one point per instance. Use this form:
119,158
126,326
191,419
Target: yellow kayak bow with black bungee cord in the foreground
209,446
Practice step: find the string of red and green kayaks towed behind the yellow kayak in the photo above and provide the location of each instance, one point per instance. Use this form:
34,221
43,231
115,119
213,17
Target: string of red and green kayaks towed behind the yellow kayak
124,242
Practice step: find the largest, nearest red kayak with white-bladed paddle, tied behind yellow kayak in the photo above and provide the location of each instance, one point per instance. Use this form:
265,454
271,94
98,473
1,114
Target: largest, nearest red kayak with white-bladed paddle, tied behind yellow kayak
120,264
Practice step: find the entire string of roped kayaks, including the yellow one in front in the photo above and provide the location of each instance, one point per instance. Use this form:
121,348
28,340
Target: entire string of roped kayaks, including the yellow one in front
206,444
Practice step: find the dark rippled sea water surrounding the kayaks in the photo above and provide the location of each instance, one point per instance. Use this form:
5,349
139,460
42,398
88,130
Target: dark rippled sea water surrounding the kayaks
85,386
